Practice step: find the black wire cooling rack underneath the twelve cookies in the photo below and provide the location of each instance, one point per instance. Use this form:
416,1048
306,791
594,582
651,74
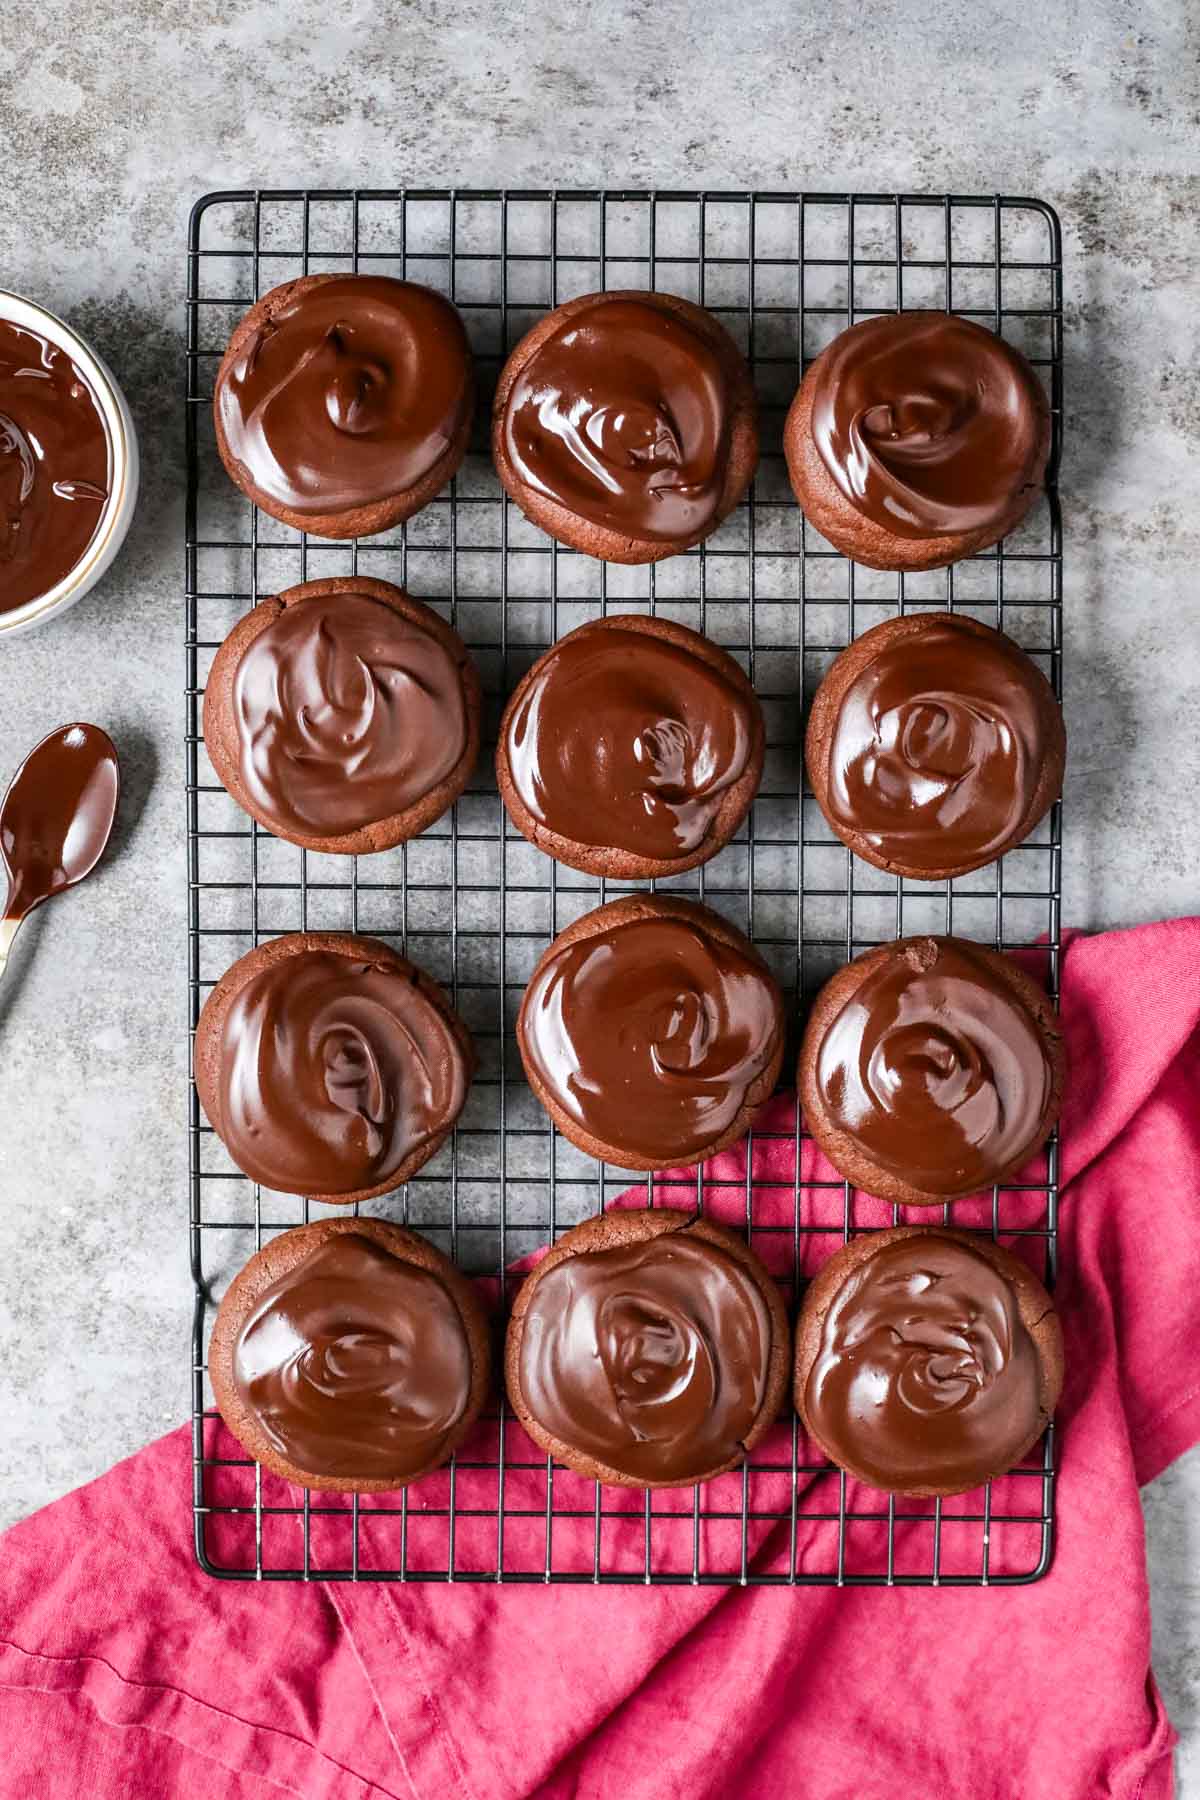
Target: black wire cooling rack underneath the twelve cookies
476,904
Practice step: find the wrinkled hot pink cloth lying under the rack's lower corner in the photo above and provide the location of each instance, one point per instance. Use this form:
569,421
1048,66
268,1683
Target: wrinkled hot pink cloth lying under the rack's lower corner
127,1673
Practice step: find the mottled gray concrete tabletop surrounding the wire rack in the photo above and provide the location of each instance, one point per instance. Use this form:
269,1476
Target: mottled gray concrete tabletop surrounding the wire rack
114,118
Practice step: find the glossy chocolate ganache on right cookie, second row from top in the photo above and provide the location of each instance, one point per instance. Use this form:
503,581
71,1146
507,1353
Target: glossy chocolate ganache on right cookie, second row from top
938,748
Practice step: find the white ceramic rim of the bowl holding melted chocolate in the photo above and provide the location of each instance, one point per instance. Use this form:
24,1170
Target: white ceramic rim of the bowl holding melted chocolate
118,514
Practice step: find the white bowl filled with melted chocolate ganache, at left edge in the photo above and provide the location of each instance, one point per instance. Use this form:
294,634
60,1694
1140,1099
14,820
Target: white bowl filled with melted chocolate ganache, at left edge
69,467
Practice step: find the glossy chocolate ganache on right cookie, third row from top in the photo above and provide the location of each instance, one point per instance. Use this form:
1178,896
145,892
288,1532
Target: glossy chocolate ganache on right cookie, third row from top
936,1068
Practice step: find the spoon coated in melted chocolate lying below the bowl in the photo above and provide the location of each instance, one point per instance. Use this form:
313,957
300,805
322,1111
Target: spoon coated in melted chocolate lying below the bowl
57,820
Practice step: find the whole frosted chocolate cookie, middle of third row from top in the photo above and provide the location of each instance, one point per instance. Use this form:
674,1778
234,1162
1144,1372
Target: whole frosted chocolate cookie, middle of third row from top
652,1032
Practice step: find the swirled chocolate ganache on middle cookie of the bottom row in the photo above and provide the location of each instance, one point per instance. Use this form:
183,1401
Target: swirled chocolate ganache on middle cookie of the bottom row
650,1358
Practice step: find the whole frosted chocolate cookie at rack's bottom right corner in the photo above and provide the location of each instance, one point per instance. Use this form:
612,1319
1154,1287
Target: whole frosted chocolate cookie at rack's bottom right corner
927,1362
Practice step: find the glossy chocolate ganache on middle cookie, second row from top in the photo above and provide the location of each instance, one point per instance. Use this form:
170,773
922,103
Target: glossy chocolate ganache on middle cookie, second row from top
629,741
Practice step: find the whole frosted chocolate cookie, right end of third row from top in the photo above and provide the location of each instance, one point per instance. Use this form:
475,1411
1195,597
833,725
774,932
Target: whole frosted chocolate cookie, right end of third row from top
929,1070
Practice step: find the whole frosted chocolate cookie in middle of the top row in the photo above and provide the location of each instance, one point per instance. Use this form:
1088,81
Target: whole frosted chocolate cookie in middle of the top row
625,426
